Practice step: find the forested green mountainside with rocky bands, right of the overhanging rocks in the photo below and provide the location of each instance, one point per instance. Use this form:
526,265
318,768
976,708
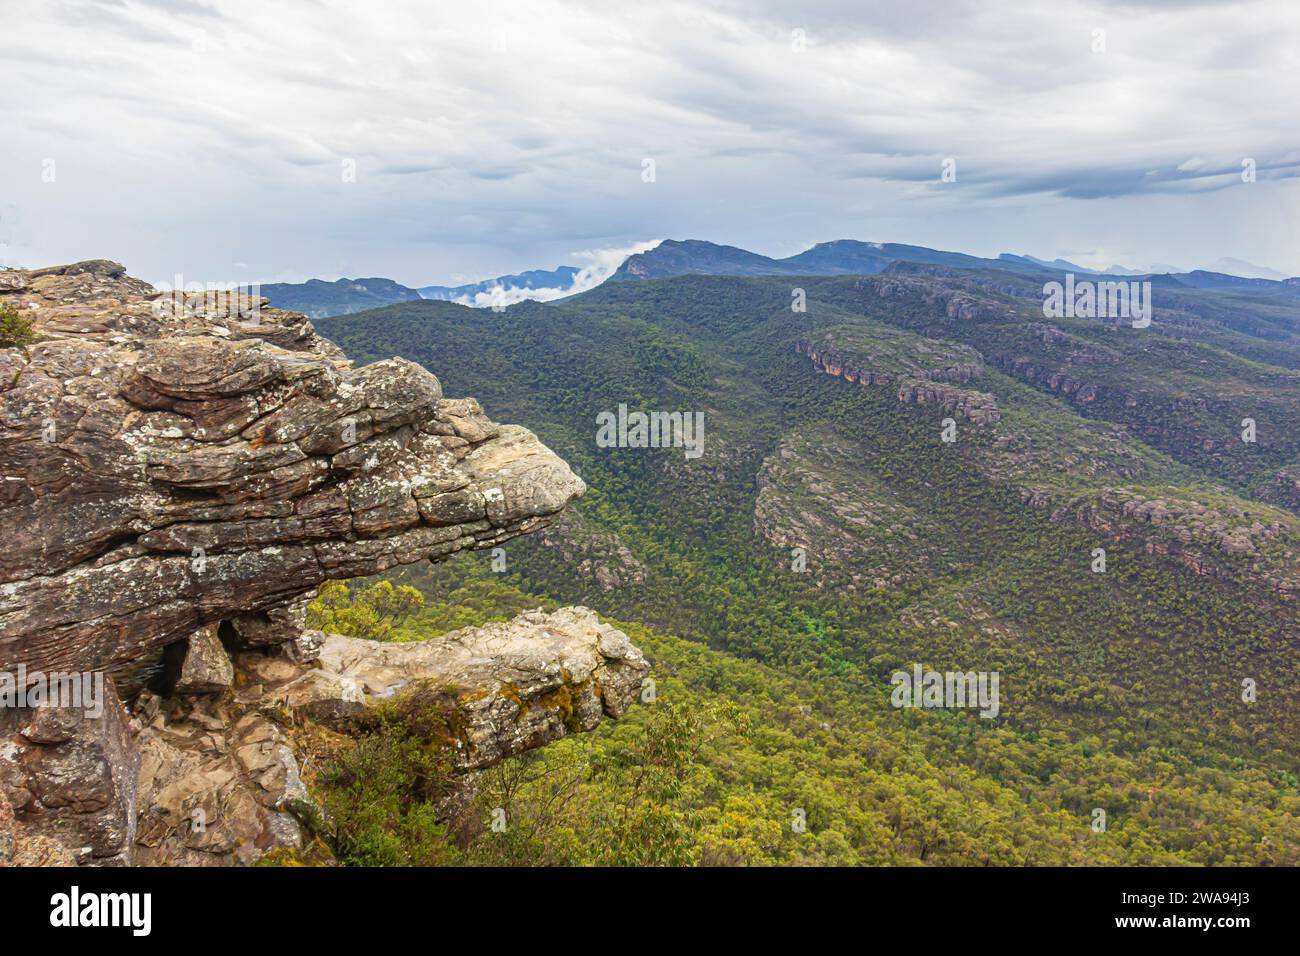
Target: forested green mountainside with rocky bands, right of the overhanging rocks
1123,689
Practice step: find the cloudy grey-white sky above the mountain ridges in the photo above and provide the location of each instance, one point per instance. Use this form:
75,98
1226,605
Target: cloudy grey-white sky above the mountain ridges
450,142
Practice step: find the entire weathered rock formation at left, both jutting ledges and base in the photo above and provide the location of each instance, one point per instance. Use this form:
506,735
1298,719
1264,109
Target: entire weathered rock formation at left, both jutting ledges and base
180,473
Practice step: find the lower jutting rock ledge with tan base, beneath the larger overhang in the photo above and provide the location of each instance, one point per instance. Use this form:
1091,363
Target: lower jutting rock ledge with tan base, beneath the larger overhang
222,781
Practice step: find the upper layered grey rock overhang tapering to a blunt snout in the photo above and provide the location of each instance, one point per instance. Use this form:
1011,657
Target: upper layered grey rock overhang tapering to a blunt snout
166,469
